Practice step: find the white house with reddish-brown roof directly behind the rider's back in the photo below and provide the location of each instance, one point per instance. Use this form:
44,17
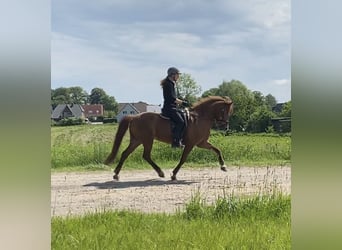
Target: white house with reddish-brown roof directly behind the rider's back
136,108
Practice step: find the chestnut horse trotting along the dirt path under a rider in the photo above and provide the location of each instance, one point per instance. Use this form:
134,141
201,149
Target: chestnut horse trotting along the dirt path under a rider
145,127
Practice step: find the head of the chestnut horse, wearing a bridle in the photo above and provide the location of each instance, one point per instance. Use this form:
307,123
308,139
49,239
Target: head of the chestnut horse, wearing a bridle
222,112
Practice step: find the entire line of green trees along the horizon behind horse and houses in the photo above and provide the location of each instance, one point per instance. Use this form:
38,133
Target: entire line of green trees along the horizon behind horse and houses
253,112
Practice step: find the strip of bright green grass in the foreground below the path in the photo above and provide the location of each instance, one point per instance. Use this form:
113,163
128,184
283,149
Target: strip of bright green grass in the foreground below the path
261,222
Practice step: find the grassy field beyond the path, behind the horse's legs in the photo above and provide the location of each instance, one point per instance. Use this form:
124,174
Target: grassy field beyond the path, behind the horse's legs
87,146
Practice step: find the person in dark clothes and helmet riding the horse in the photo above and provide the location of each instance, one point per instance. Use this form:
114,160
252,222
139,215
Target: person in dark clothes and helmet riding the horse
170,105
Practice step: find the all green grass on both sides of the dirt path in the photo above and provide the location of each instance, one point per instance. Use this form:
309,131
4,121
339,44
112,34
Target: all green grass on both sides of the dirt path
258,222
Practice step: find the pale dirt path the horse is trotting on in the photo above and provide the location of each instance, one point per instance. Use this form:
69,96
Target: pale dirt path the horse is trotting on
77,193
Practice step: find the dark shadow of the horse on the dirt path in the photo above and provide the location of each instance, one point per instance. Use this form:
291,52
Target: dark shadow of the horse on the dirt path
138,183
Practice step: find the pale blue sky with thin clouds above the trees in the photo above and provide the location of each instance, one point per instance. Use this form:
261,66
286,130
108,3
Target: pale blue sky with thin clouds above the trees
126,46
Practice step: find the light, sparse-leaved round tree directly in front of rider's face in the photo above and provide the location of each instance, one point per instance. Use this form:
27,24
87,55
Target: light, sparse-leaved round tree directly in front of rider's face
187,88
